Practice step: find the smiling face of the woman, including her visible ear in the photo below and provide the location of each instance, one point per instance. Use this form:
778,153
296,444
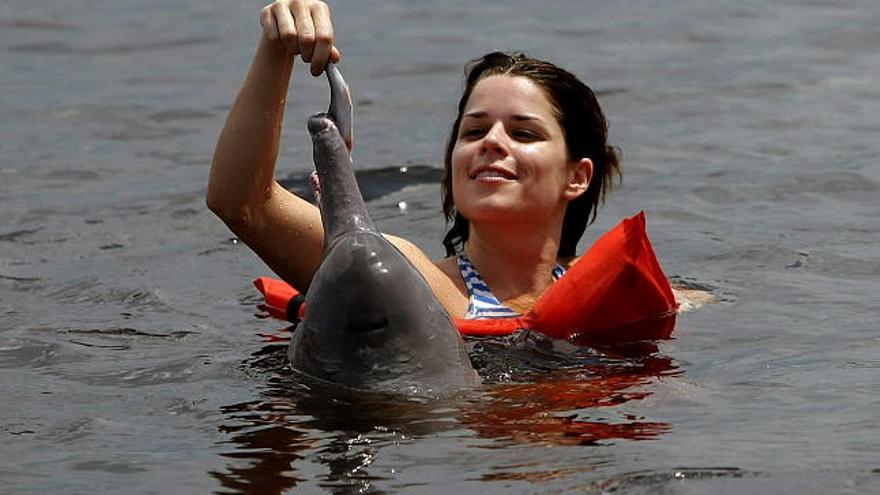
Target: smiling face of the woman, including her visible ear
510,162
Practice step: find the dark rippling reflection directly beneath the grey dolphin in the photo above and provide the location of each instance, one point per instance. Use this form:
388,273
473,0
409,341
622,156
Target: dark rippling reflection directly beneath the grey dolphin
278,442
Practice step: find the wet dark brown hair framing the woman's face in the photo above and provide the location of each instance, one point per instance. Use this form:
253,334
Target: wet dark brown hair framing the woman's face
582,123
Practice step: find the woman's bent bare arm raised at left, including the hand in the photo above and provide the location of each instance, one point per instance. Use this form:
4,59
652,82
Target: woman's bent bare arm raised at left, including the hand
282,229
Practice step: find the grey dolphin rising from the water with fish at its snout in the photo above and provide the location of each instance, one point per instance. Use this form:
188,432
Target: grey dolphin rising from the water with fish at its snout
372,323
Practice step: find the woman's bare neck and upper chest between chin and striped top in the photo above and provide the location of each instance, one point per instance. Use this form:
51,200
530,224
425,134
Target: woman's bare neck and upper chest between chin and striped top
515,261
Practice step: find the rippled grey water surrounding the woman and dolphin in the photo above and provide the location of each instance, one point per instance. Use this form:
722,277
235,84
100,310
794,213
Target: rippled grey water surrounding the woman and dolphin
128,356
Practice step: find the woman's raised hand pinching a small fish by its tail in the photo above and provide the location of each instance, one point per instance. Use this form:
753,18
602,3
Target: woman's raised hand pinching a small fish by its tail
304,27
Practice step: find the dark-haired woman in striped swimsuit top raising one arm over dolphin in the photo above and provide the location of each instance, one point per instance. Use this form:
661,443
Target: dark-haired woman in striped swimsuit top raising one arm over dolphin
526,165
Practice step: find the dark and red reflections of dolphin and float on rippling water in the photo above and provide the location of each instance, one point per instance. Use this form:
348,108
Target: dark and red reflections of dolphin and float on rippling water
537,390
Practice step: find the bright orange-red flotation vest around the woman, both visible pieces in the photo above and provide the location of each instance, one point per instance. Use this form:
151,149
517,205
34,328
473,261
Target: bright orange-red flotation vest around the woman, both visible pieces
616,292
